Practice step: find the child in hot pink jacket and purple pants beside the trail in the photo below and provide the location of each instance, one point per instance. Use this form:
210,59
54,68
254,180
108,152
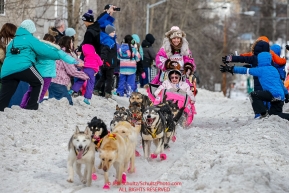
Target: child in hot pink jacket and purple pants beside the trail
92,62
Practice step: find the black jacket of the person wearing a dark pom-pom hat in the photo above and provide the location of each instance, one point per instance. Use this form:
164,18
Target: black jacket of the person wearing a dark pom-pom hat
92,37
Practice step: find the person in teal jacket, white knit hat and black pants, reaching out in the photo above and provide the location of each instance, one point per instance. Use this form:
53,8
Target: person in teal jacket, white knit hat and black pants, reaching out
18,65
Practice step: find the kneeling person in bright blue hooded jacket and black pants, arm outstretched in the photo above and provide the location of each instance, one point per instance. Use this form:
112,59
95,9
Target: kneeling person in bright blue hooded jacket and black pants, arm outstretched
273,88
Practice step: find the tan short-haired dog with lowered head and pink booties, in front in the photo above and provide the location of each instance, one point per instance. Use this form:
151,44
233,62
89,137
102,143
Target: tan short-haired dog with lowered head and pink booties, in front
116,150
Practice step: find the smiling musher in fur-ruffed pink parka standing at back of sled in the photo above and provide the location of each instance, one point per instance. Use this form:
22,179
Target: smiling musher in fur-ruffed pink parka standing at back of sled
175,48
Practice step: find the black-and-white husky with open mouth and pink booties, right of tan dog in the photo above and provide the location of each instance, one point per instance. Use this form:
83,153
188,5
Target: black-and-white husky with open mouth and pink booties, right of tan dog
153,129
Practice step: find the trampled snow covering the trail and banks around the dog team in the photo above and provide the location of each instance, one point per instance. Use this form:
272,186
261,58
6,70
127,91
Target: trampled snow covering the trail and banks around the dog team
225,150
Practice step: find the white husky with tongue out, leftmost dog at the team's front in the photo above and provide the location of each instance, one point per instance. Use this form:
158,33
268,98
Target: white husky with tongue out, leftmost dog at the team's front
81,151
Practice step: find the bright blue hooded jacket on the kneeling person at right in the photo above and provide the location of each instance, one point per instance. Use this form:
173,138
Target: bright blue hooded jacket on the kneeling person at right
267,74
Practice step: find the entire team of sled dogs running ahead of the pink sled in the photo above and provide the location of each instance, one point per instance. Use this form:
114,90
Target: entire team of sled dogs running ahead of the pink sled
117,147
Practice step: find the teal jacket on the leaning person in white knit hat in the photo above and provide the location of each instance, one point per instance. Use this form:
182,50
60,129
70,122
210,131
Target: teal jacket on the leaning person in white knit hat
30,48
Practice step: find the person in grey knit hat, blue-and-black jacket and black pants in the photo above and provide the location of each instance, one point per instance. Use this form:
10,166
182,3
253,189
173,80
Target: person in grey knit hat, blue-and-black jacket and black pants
109,56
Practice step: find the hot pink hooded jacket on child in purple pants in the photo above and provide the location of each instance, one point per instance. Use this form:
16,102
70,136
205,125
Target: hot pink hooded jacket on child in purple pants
91,58
